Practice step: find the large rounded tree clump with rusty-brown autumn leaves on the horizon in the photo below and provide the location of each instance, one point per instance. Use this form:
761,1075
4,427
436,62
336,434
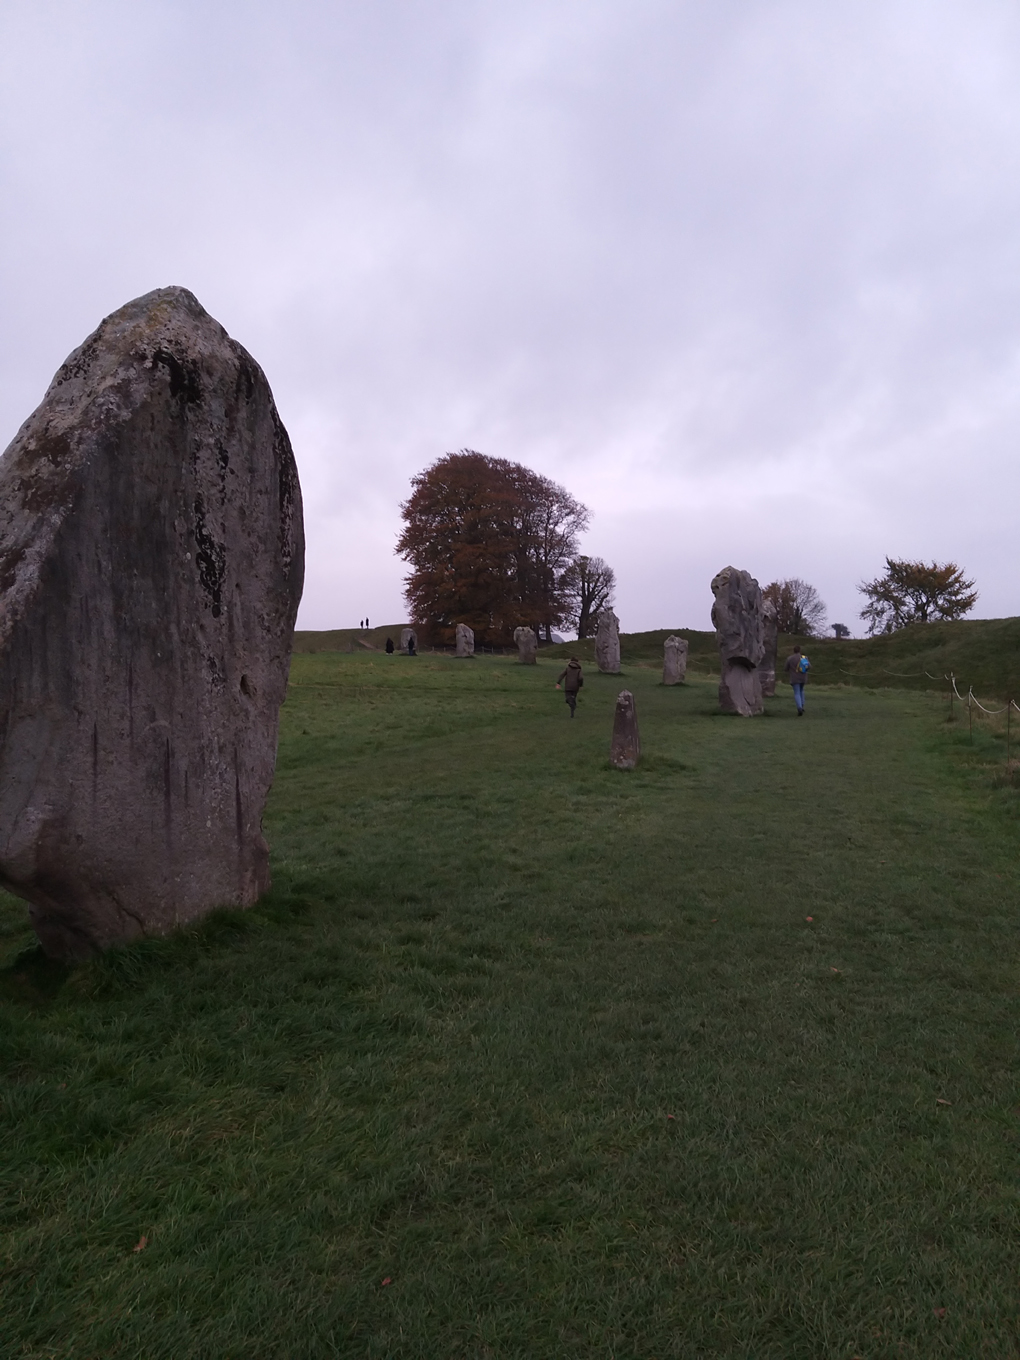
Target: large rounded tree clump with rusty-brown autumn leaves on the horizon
489,543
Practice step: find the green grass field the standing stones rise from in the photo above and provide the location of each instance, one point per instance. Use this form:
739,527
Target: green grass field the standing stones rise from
526,1057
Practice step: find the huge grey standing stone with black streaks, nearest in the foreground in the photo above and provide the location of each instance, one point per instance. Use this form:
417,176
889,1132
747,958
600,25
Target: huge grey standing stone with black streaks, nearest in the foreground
152,560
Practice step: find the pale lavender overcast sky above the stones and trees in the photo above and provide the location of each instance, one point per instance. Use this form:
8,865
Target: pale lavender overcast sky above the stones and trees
743,277
